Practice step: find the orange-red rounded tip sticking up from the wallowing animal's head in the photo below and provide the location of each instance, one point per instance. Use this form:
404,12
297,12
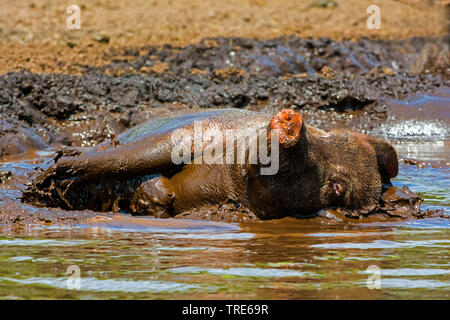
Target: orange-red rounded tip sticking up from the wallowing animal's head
288,124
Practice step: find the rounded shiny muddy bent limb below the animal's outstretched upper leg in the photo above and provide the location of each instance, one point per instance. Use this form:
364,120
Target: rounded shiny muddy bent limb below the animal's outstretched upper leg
153,197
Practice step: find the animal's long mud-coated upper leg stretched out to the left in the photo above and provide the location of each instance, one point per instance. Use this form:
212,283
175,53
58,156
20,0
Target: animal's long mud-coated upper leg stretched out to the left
148,156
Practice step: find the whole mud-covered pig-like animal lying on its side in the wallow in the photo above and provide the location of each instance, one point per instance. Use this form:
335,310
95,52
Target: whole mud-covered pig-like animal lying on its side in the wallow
275,165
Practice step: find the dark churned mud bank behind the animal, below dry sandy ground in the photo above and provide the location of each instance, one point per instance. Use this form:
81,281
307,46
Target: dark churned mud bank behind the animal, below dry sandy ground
42,110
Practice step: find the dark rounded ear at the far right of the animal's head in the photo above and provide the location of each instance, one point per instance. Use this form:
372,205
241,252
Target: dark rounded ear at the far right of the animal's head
386,156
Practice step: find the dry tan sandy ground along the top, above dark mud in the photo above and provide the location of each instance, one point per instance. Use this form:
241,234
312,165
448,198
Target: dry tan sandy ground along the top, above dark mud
34,35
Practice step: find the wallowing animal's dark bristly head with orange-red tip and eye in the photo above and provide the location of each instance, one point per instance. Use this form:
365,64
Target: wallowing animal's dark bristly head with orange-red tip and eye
319,169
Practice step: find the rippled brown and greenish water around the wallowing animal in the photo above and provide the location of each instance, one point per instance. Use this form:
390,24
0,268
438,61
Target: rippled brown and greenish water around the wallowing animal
126,257
